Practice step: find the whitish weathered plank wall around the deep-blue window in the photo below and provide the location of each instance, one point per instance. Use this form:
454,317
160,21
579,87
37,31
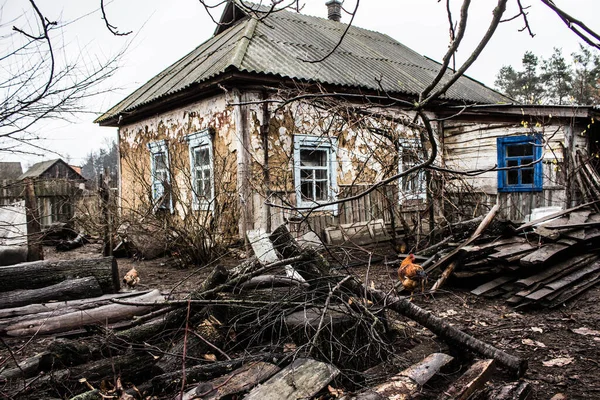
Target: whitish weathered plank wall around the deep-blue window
472,146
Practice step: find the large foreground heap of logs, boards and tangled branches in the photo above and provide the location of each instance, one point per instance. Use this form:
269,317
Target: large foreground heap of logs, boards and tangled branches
281,325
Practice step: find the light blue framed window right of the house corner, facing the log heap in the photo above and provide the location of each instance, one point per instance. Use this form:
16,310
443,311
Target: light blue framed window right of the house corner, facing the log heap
312,179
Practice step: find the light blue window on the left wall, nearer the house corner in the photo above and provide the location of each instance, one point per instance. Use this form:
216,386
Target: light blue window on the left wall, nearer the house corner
201,169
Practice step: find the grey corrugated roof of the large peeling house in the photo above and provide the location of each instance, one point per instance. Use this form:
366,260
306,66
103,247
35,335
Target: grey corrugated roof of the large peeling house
281,44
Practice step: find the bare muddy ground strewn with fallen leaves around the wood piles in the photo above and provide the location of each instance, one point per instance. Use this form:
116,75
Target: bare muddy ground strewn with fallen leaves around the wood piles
537,335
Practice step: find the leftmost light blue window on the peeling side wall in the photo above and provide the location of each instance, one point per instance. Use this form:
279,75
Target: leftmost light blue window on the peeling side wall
161,174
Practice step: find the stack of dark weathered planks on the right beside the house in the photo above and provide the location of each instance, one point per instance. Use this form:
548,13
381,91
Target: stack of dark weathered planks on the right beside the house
546,263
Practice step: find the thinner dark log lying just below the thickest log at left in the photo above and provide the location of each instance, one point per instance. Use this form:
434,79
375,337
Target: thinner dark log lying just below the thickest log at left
67,290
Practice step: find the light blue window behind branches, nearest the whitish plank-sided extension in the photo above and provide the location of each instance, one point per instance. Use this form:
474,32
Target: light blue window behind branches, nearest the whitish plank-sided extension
413,186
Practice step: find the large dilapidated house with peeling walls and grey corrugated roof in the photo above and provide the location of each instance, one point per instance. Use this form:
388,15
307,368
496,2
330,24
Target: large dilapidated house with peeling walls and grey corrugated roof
260,123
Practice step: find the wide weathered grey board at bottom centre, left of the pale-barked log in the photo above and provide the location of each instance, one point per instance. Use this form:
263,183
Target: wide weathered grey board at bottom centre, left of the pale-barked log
304,378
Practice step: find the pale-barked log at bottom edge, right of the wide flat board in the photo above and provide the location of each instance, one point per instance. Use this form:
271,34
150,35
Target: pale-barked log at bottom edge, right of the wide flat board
405,384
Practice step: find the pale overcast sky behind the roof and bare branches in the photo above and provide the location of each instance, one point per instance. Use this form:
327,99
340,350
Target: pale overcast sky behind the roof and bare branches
164,31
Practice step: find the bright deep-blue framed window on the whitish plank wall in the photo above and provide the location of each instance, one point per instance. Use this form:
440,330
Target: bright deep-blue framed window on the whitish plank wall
519,154
